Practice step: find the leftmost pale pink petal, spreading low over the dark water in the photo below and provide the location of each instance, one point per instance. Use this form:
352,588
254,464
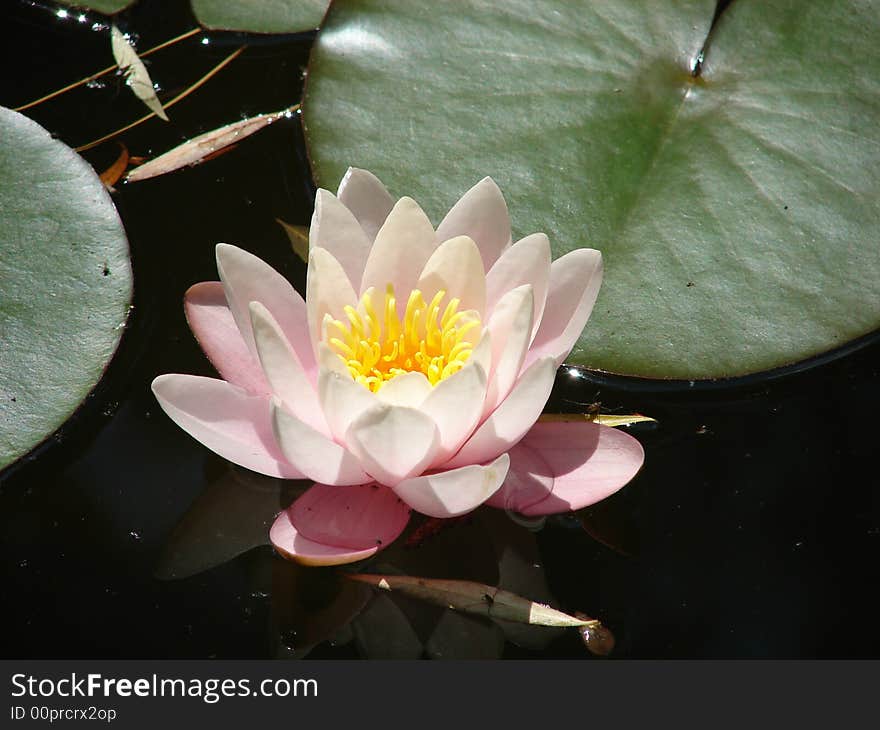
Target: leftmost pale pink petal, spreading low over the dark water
225,419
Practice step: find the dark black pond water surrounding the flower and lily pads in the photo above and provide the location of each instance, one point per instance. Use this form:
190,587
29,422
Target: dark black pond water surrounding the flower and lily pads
752,531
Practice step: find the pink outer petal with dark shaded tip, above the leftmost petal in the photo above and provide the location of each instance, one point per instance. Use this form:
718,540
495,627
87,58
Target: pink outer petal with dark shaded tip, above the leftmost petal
211,321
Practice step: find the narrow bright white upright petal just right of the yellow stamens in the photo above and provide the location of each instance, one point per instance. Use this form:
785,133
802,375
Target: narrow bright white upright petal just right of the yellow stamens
511,328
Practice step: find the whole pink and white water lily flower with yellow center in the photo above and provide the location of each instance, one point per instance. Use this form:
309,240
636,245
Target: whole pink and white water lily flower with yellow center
411,377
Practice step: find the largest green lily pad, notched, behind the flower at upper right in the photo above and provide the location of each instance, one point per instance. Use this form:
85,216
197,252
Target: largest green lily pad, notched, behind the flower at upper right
738,210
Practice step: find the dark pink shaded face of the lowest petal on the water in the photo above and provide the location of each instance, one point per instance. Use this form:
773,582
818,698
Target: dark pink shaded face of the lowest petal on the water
356,518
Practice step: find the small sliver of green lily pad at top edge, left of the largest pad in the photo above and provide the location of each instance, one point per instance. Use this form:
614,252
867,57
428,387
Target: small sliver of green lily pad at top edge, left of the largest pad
260,16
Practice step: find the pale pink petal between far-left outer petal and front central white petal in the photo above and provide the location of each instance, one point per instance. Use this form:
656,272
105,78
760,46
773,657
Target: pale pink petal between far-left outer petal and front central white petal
315,455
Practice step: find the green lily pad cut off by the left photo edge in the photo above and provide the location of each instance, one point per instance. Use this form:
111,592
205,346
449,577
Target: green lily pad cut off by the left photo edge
66,283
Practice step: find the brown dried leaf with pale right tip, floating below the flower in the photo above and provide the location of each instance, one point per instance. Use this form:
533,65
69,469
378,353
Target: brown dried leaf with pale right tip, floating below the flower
476,598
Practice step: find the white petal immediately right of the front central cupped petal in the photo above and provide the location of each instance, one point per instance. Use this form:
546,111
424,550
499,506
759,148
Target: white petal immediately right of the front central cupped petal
456,406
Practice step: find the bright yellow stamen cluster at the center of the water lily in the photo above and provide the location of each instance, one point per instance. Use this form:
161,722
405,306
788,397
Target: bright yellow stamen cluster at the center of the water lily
376,350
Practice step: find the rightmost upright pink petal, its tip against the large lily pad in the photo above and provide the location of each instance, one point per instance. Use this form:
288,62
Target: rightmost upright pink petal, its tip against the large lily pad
574,285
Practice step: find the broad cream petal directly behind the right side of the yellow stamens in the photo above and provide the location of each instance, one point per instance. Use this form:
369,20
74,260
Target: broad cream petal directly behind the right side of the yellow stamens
456,268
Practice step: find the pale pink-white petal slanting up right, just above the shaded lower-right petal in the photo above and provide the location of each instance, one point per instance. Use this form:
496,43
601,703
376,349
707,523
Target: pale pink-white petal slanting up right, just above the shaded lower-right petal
512,419
